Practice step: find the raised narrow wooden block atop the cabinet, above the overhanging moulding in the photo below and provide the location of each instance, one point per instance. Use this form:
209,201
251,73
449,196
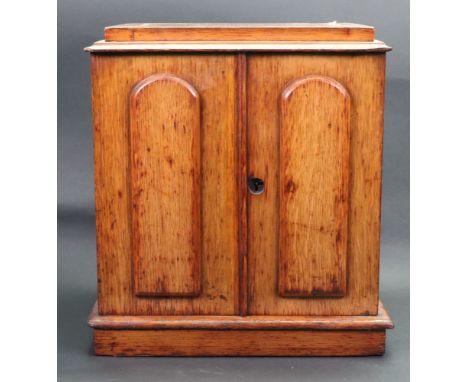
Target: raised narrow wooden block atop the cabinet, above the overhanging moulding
239,32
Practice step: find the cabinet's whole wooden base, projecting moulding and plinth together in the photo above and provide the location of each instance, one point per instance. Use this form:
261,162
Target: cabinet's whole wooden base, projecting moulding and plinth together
240,336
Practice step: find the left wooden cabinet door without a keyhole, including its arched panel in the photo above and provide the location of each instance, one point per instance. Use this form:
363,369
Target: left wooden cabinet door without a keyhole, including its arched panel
166,183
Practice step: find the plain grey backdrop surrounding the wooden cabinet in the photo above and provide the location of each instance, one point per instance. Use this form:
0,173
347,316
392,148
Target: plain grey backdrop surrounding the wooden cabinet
79,24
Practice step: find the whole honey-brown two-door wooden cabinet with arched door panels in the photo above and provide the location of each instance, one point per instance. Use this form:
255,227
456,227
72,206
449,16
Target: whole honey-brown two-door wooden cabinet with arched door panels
238,180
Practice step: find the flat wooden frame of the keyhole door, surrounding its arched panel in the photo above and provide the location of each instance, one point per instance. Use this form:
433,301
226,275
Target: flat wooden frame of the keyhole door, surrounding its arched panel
363,77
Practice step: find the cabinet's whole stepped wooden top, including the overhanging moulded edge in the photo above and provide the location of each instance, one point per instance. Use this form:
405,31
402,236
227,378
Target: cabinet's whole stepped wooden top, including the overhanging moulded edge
238,37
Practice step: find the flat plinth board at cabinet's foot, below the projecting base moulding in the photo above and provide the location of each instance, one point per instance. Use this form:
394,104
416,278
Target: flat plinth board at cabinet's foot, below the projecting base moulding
238,342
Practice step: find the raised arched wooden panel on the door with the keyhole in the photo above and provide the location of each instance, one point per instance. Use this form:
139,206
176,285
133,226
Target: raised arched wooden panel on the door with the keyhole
313,188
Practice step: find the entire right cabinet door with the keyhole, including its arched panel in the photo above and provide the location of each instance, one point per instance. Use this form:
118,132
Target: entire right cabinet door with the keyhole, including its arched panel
314,137
